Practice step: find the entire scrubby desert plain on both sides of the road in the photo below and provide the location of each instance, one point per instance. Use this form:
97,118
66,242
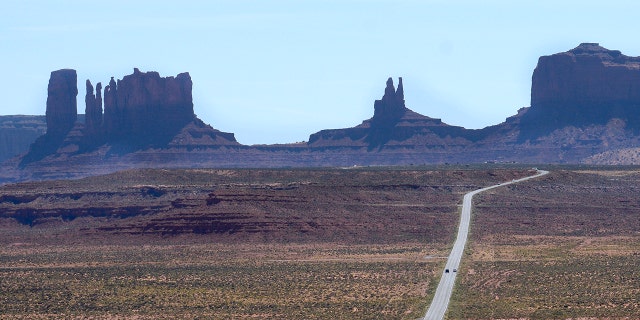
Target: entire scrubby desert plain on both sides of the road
343,243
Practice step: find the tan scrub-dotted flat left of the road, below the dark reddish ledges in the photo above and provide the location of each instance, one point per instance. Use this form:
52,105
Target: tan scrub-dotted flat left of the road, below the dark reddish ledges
214,281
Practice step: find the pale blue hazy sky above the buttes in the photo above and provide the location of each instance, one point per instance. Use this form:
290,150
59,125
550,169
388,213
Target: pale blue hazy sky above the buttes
276,71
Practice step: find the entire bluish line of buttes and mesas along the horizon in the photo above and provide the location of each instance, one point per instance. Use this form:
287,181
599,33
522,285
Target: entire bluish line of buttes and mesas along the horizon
584,108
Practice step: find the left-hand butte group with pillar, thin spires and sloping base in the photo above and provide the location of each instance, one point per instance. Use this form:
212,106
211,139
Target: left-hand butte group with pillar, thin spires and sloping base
141,111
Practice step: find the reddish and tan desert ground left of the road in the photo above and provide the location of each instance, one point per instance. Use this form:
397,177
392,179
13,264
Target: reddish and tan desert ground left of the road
285,244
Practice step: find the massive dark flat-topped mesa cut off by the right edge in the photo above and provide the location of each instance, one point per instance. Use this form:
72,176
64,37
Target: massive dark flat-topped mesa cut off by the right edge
584,86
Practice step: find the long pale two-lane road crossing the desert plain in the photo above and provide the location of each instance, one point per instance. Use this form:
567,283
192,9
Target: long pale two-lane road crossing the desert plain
440,301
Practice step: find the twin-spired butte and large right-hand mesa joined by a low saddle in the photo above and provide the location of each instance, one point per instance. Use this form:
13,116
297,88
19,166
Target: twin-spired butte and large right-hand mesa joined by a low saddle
583,102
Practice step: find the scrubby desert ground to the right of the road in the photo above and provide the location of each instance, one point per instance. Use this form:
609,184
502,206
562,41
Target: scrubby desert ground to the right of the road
563,246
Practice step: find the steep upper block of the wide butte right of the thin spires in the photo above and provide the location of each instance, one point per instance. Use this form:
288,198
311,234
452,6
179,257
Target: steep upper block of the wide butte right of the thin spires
147,107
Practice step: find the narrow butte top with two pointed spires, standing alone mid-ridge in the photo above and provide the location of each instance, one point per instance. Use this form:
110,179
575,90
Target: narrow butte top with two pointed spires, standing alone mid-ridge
390,108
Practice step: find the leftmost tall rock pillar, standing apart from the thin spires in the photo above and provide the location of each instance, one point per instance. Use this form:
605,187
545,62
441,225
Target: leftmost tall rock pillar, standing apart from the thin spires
62,108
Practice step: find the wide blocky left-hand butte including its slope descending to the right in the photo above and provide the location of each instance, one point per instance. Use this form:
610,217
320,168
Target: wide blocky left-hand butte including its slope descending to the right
145,110
